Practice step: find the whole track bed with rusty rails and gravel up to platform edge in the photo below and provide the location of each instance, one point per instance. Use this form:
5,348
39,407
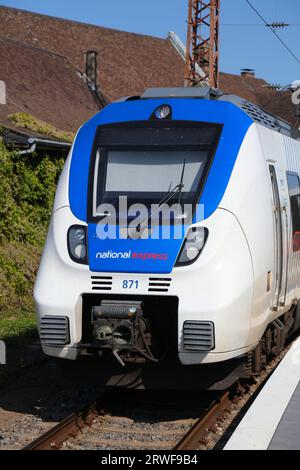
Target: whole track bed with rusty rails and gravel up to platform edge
144,420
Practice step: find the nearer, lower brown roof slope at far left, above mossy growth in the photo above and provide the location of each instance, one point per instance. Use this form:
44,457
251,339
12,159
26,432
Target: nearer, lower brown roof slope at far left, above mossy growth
44,85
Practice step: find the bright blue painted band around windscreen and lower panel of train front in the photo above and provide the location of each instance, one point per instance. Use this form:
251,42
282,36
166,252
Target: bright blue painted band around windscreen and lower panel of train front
235,122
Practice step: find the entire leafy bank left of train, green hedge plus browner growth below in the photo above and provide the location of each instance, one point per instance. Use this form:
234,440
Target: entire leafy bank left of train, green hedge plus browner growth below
27,190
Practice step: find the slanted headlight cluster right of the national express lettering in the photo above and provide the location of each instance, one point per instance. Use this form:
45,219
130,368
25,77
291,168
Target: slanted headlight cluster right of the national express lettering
192,245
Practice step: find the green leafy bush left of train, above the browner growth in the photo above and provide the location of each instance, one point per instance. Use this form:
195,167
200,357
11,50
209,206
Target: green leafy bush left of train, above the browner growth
27,187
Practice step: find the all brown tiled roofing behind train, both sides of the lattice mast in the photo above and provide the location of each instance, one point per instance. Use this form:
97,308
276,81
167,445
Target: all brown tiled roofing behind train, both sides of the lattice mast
128,64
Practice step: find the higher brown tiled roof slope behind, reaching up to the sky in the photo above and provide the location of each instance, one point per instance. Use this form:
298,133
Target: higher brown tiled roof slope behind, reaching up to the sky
128,62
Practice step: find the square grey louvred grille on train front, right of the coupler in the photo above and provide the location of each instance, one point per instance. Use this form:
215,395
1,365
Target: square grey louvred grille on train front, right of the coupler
198,335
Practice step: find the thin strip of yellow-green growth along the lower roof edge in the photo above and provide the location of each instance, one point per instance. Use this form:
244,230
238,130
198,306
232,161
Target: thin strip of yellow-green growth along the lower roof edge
27,121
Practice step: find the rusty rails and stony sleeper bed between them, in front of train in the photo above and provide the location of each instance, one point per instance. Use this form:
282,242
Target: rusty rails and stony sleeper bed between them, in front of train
146,426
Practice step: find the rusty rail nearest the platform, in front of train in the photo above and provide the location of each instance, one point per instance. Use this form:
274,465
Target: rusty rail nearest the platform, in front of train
194,437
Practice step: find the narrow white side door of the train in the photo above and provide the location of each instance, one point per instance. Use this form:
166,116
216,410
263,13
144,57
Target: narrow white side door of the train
280,238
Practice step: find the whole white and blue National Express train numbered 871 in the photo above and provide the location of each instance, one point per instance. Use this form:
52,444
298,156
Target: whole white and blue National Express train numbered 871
227,291
